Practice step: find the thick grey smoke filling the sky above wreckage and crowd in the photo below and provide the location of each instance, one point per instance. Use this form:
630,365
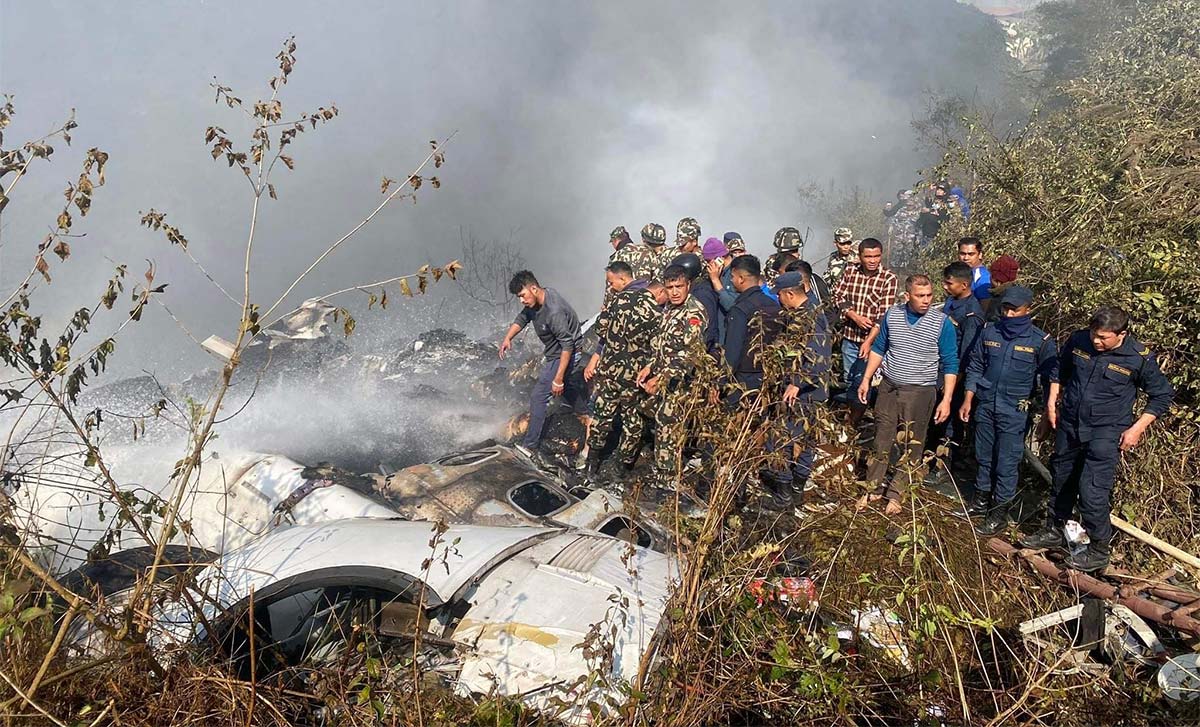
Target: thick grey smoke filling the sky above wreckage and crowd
572,118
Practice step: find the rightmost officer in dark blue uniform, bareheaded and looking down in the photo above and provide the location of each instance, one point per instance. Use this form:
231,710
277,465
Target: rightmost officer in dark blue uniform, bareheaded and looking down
1102,371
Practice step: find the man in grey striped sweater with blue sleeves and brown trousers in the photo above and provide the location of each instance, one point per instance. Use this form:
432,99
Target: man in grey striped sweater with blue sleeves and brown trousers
911,345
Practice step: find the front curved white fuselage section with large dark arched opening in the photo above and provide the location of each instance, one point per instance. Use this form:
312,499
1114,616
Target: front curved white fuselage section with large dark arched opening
500,611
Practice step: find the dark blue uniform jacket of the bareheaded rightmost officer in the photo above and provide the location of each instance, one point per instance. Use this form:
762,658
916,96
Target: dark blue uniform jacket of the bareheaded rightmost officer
1100,389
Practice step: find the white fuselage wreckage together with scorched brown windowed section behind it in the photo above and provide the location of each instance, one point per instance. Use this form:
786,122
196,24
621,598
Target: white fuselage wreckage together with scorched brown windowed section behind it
503,603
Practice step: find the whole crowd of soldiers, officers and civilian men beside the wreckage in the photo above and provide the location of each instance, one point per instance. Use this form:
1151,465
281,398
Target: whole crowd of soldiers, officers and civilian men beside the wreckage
969,370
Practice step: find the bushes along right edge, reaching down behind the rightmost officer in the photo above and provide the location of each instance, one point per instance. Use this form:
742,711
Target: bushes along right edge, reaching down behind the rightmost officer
1099,199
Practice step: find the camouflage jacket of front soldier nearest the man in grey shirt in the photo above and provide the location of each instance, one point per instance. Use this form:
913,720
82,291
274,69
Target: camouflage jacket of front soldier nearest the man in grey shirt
627,328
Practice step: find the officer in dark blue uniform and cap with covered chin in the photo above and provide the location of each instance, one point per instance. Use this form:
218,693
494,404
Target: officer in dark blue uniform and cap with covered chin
1005,366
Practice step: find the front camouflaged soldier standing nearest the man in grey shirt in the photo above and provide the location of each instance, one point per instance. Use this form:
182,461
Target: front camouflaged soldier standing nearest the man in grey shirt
627,328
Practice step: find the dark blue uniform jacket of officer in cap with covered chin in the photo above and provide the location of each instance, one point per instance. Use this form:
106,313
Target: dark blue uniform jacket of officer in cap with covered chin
1005,372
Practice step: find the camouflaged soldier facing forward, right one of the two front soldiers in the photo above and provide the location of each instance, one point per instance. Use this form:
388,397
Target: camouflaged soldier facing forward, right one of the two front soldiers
680,339
